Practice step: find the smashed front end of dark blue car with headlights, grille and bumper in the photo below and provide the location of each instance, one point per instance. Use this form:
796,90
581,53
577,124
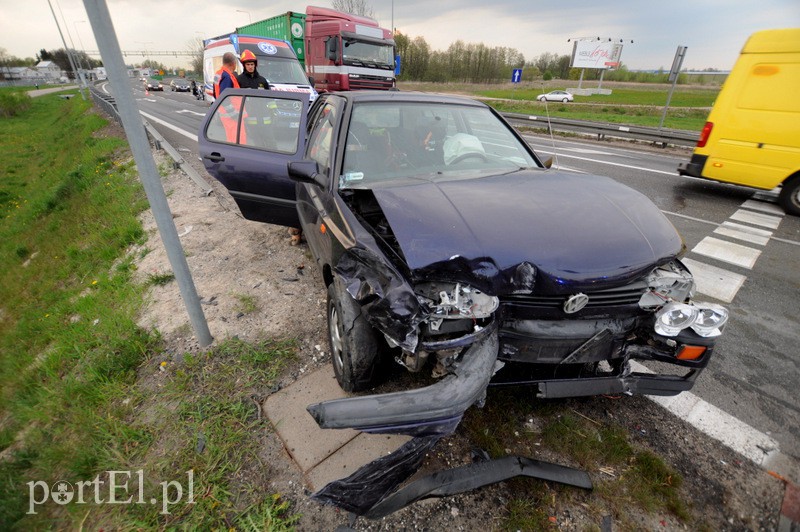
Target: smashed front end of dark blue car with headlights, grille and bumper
467,336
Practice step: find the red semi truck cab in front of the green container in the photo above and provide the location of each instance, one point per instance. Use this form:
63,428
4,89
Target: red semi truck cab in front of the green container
347,52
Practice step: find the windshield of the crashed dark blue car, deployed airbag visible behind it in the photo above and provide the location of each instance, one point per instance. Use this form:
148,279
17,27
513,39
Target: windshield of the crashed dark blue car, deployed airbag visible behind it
392,142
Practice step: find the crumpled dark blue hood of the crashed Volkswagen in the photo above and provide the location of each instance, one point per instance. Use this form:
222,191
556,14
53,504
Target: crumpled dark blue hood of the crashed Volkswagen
575,229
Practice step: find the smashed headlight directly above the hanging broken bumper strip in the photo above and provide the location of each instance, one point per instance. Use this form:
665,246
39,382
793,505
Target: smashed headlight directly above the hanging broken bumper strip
457,301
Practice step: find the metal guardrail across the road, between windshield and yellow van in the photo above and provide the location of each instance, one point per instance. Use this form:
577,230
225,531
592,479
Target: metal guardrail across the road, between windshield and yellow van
664,137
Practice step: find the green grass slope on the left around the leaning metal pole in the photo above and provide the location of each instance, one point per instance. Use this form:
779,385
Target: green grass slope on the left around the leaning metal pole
83,389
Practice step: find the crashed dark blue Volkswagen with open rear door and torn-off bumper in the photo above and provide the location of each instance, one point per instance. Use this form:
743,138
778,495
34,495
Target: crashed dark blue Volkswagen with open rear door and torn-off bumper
447,246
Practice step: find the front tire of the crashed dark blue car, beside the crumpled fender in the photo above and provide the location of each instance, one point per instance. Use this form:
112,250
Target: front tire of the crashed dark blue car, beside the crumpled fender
360,361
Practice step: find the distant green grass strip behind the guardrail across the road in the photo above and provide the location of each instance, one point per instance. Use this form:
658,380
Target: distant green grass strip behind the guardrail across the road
640,106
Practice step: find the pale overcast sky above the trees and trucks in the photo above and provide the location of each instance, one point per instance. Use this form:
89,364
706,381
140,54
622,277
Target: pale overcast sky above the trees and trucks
713,30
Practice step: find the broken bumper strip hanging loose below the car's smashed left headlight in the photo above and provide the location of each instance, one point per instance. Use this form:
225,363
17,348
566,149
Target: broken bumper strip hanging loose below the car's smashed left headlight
435,409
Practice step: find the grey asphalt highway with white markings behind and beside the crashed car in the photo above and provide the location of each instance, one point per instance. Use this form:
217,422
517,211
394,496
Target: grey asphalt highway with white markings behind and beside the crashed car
744,252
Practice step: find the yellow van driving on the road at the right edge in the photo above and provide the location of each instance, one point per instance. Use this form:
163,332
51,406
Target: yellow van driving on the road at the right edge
752,136
